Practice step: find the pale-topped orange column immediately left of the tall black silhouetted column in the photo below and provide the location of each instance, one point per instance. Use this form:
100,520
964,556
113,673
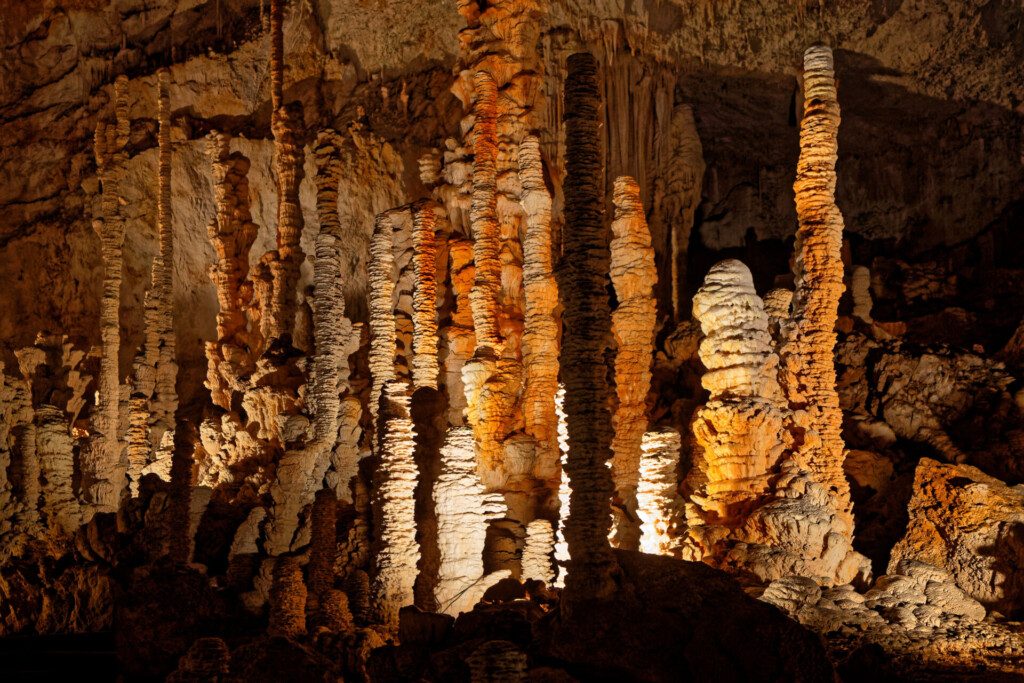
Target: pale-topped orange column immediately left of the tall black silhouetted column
540,338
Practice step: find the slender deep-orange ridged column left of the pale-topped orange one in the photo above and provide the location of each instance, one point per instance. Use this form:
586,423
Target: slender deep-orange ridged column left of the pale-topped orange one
484,216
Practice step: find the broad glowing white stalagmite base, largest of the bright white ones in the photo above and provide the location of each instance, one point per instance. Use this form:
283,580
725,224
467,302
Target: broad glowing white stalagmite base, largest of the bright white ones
464,510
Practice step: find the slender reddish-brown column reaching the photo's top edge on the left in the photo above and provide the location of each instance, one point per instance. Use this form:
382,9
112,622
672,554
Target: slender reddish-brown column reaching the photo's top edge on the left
286,123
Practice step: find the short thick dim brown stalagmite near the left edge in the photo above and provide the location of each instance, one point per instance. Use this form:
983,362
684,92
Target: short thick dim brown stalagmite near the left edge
57,462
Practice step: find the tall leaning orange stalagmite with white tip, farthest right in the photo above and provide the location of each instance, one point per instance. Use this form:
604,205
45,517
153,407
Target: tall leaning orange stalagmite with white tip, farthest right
807,354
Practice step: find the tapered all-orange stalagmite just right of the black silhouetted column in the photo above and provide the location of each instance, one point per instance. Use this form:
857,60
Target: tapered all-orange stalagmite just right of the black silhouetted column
634,277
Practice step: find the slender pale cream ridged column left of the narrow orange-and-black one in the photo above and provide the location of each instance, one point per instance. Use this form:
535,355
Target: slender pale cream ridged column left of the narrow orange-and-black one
382,328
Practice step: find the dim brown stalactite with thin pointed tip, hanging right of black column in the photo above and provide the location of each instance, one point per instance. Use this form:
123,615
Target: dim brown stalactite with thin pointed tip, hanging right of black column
684,186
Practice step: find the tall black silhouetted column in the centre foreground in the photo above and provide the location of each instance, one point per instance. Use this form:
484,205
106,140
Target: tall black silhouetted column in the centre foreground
583,287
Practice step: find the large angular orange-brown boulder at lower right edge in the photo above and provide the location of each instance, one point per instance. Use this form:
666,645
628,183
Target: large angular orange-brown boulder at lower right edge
967,524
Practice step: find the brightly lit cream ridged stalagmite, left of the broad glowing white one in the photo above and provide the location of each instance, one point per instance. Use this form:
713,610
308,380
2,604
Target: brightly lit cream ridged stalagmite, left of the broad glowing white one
396,551
